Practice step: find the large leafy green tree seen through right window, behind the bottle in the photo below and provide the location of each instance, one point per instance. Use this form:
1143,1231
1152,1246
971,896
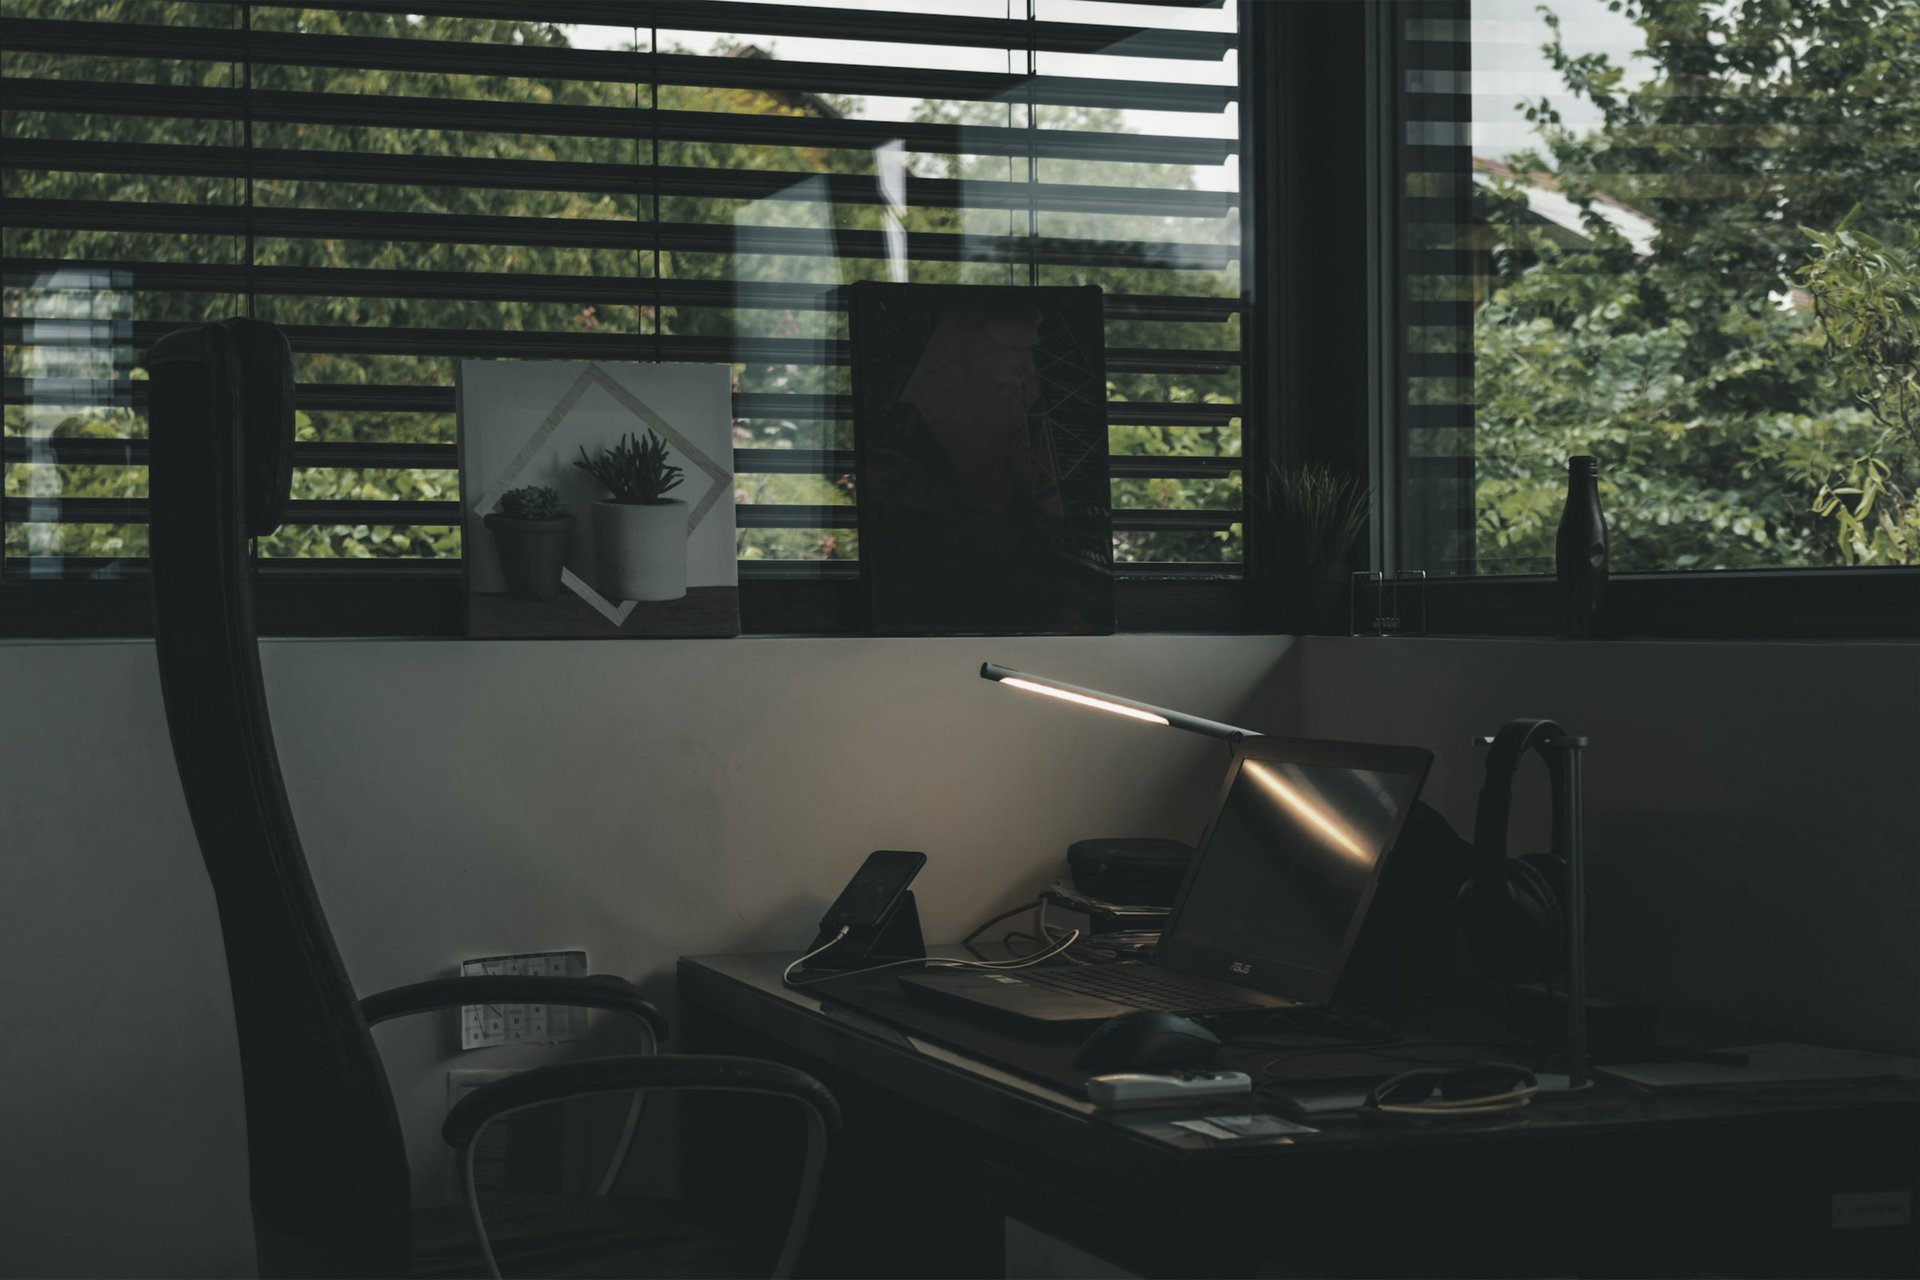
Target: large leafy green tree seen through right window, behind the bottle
1696,373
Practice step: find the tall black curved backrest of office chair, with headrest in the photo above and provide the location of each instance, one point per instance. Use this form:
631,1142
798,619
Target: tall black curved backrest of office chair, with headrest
327,1160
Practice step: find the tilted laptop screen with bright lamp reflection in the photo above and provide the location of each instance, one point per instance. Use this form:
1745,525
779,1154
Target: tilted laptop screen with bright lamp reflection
1291,863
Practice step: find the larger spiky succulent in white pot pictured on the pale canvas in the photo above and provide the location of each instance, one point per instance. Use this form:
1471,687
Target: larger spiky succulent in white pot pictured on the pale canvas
640,536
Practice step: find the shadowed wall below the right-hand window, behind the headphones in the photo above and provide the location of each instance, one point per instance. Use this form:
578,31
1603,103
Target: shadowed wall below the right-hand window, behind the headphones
1752,807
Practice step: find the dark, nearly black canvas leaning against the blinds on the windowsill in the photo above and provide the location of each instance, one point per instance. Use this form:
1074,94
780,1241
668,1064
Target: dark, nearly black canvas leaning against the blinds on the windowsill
980,417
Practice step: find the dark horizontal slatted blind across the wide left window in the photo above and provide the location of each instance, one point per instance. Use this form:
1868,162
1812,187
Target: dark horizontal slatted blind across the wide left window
408,185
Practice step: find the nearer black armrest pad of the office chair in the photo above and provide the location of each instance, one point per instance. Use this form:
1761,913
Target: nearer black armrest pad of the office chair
613,1076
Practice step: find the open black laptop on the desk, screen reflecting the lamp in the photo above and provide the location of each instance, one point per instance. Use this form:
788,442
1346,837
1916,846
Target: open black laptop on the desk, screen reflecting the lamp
1270,907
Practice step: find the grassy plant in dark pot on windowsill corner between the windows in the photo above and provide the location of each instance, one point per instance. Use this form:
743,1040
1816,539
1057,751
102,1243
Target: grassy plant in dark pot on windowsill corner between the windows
1316,517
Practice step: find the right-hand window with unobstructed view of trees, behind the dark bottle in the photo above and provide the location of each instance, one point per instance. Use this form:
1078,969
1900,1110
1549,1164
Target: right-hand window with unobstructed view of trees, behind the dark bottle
1621,235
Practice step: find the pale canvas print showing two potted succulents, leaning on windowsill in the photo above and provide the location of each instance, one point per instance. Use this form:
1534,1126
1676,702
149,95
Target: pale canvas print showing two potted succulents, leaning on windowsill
640,540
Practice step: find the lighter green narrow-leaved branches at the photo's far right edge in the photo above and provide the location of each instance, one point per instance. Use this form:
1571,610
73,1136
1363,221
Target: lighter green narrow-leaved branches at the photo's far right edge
1867,296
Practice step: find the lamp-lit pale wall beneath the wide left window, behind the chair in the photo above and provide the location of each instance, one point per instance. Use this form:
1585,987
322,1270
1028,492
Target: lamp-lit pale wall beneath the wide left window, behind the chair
466,799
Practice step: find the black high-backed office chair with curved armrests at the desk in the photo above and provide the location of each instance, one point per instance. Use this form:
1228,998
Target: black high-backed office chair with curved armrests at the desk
327,1164
